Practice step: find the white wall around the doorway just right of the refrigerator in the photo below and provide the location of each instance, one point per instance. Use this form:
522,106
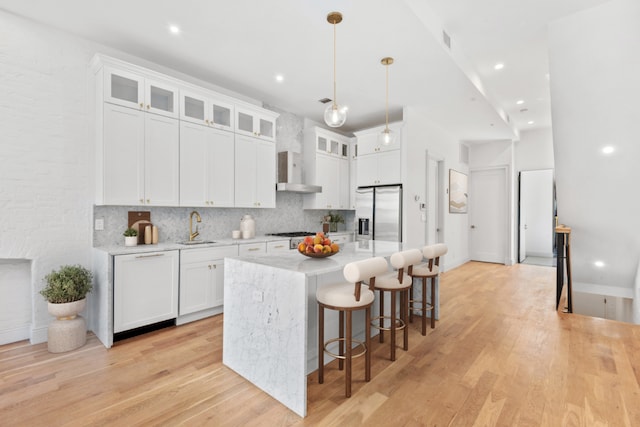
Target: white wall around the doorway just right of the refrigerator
419,137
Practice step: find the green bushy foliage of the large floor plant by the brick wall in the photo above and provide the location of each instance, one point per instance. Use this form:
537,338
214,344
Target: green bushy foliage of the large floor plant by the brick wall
67,284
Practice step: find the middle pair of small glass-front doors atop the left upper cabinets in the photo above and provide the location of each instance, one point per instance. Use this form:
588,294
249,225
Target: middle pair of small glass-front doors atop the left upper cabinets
206,110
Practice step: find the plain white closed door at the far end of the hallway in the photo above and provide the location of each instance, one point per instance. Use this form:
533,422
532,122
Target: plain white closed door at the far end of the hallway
488,215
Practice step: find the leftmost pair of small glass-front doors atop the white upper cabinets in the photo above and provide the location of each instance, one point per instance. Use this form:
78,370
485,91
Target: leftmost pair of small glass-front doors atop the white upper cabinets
135,91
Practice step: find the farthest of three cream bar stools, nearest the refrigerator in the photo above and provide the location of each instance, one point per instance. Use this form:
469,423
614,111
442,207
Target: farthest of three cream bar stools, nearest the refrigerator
430,270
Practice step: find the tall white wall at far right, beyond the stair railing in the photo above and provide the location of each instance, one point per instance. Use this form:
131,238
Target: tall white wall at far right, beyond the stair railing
595,87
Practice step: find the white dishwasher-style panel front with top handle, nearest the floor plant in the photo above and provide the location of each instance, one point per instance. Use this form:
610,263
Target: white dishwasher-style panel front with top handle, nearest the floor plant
145,289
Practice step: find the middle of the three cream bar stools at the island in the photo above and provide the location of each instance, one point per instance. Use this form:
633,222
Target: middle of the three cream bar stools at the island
396,283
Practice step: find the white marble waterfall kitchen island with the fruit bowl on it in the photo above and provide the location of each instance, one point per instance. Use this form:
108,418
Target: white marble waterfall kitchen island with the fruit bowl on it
270,316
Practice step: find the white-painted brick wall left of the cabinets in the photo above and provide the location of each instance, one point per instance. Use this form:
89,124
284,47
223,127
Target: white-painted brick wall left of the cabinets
46,154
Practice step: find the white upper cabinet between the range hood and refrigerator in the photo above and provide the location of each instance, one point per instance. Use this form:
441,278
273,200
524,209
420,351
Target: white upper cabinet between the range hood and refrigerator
327,166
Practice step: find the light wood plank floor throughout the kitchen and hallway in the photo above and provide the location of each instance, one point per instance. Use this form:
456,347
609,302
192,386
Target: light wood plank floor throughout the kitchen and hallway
500,355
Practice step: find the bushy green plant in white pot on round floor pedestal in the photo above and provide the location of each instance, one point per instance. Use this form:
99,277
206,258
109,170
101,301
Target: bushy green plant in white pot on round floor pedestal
66,291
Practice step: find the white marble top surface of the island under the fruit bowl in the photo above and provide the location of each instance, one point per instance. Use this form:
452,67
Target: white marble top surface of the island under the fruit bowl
349,252
